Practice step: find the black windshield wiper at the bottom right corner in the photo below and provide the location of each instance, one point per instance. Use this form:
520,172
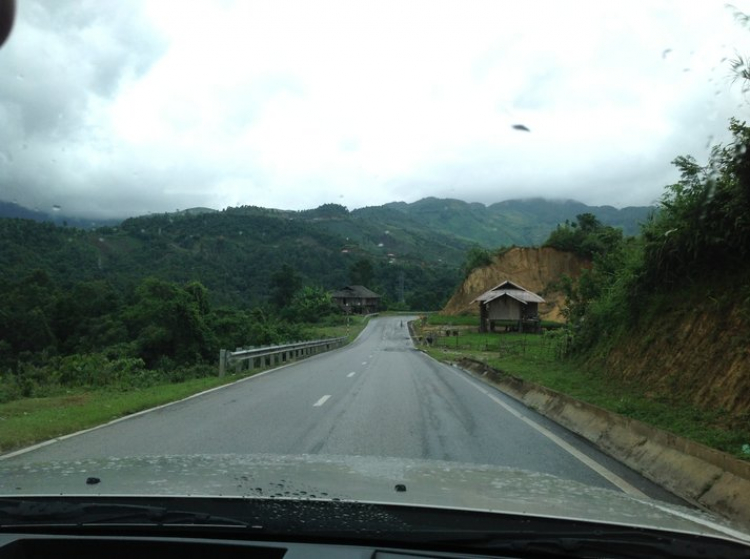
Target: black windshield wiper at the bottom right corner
599,543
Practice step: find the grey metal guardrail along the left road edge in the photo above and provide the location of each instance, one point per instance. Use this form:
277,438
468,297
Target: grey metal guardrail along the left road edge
274,355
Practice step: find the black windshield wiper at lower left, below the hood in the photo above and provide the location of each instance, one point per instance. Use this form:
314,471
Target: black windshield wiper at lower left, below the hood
36,512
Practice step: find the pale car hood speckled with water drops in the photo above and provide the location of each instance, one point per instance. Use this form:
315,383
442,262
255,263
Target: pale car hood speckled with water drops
360,479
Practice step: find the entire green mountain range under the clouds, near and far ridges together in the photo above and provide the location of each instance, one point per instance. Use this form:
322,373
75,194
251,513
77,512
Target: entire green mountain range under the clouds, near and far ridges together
236,250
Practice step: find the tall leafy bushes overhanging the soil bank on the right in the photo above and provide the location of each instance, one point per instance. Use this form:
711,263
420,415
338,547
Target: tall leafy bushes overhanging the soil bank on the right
700,235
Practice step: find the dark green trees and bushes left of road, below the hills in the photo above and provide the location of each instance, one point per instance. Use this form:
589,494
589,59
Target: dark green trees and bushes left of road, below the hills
95,335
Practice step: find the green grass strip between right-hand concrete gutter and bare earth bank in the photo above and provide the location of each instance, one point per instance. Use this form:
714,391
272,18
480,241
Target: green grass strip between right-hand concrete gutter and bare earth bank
536,358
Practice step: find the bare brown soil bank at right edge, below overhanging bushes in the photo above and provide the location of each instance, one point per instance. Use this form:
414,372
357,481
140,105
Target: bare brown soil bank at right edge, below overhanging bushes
693,345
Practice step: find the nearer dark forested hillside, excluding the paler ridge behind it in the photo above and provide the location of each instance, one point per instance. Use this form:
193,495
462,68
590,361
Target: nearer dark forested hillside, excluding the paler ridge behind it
235,252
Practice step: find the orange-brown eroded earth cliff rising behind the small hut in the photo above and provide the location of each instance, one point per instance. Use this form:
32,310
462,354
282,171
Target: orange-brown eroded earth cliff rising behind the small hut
536,269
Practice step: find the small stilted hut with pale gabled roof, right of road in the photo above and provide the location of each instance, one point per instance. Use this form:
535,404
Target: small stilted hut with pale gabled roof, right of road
510,305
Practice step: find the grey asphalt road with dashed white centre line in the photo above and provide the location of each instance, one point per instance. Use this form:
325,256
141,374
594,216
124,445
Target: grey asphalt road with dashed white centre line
379,396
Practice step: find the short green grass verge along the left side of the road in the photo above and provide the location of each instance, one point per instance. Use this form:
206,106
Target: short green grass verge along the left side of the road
65,410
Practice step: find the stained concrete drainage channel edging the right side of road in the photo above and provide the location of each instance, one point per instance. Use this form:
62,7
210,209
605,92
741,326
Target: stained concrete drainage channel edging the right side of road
708,478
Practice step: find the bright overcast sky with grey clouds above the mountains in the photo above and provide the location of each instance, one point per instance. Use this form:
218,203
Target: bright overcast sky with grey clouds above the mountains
111,108
